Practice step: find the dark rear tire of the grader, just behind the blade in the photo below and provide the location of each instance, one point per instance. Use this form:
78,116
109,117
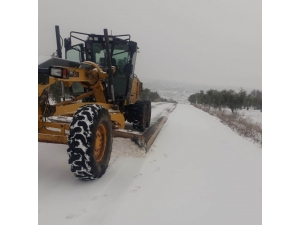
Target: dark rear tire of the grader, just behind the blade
141,116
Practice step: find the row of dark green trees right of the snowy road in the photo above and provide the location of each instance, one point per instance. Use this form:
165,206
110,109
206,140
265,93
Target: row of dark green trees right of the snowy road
228,98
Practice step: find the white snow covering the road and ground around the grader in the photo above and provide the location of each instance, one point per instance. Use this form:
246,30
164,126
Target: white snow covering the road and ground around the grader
198,171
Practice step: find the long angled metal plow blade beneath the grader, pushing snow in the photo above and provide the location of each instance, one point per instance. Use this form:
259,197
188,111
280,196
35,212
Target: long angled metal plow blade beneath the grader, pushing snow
145,139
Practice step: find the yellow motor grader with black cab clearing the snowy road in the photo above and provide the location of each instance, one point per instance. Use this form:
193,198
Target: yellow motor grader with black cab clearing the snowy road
99,93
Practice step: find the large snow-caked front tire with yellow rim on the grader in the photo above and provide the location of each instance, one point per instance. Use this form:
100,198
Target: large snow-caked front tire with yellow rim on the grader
90,142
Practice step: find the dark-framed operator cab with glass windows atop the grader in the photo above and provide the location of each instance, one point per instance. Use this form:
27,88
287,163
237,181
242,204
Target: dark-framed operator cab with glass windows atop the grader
123,55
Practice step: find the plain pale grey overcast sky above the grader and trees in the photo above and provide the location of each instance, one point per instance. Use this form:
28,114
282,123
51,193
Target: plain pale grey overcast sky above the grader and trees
209,42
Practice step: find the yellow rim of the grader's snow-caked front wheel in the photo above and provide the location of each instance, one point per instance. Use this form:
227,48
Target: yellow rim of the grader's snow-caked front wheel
100,143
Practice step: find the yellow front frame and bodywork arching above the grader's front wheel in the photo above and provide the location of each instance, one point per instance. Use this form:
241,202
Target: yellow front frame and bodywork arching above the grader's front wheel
57,132
